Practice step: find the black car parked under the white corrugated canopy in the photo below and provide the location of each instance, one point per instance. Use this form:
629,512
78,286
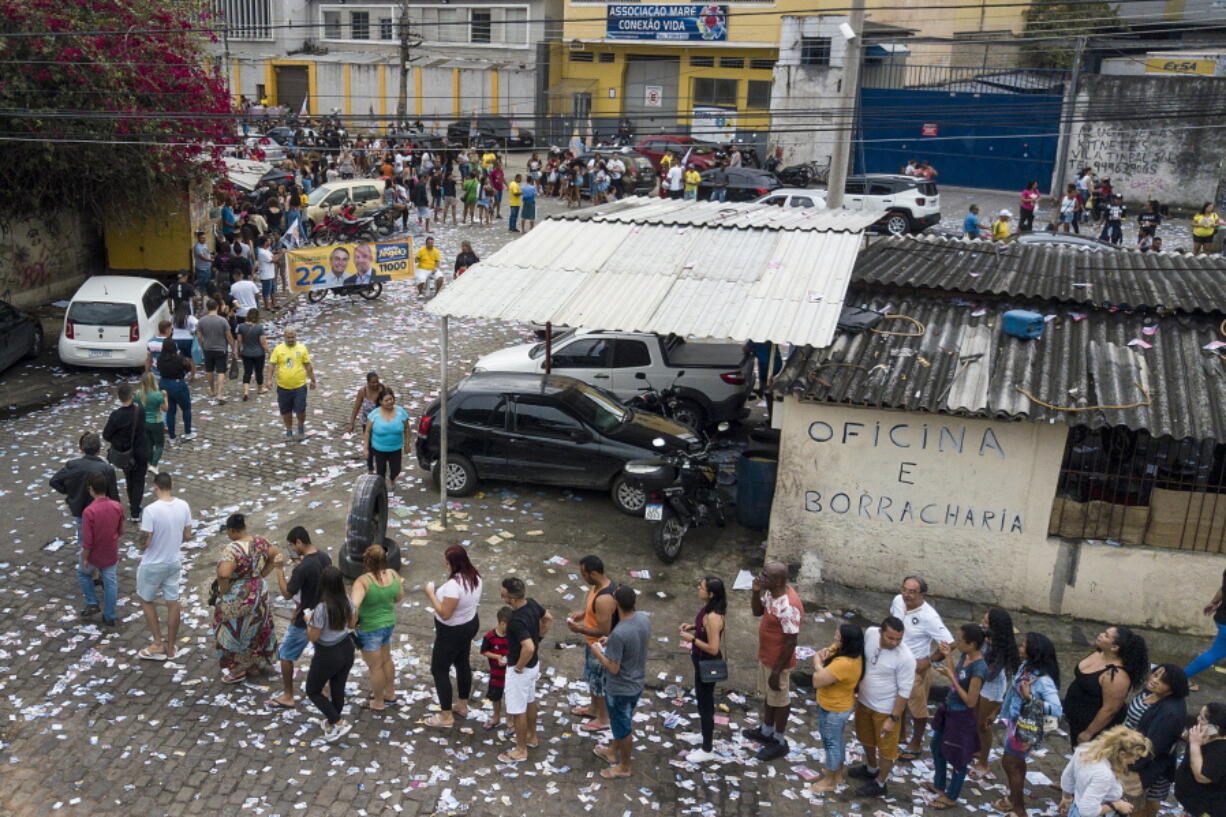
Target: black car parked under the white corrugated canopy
544,429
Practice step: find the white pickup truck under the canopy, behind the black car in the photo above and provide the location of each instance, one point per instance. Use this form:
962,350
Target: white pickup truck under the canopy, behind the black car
713,380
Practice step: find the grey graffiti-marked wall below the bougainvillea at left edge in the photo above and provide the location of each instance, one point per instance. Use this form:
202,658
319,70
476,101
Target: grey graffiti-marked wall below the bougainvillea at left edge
46,258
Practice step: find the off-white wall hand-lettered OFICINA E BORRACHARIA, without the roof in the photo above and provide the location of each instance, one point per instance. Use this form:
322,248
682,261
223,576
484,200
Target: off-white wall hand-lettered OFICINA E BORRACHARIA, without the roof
865,497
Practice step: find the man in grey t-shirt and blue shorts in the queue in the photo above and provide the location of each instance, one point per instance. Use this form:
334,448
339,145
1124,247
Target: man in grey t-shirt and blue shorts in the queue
623,654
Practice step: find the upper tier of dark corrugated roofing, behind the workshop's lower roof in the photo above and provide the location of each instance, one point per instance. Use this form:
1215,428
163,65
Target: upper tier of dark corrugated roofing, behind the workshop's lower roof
1066,274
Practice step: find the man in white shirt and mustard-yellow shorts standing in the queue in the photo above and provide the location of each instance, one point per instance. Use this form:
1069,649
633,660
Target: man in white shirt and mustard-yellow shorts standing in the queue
881,701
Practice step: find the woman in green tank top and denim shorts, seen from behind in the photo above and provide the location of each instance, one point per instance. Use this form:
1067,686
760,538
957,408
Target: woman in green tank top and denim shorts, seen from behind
376,596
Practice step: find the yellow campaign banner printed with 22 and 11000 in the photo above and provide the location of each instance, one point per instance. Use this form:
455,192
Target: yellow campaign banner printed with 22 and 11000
323,268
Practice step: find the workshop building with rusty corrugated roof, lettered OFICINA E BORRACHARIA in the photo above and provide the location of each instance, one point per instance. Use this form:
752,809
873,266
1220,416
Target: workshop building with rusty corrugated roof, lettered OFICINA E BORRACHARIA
1071,464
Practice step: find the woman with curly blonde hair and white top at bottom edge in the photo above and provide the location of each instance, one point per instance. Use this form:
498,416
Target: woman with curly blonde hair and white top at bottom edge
1092,781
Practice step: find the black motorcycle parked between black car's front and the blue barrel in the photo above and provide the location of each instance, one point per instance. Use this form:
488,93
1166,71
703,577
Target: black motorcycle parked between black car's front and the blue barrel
682,491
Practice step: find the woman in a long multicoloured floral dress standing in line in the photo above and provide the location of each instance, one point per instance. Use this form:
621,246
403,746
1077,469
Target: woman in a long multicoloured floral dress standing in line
242,619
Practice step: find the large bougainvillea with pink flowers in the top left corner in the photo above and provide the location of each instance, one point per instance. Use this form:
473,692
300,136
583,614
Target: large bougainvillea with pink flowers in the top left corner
107,104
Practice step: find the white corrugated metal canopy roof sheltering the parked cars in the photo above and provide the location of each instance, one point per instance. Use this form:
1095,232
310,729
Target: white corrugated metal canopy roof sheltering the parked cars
701,270
